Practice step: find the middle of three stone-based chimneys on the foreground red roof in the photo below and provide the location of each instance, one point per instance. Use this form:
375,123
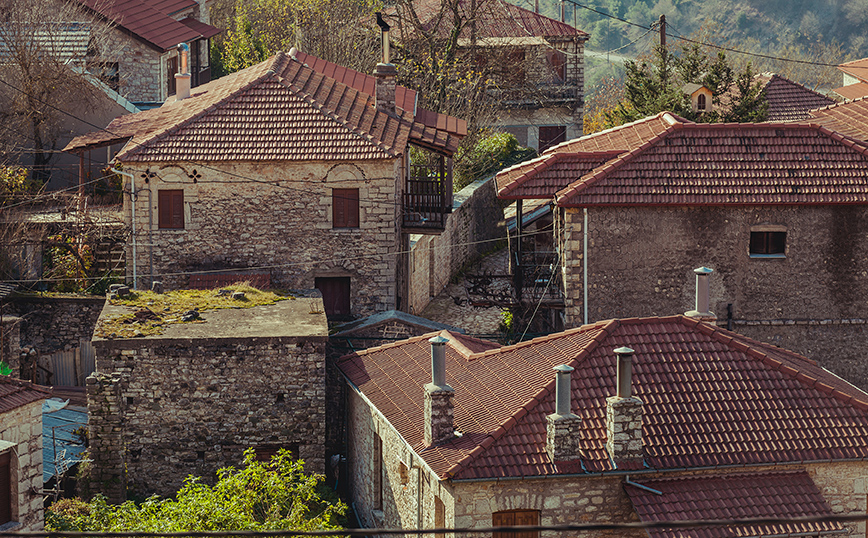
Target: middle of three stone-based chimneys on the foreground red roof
563,429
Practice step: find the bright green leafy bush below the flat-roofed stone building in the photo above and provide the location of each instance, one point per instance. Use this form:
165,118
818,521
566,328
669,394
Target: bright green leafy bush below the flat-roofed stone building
260,496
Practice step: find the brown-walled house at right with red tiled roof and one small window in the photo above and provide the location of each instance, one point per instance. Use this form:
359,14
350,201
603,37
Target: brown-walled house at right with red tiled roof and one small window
764,205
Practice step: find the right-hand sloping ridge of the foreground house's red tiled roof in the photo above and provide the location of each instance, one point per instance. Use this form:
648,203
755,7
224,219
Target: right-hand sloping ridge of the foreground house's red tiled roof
786,368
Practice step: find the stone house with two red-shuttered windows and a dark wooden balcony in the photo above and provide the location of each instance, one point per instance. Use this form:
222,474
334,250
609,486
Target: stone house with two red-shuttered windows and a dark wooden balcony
296,167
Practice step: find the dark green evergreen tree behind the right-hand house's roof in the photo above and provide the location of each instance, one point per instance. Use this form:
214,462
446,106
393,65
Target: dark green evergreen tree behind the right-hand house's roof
650,88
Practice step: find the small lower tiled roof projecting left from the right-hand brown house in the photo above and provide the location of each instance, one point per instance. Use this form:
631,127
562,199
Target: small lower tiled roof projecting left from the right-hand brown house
544,176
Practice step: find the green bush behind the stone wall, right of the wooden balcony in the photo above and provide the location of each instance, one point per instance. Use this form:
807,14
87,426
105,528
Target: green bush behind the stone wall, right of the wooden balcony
493,152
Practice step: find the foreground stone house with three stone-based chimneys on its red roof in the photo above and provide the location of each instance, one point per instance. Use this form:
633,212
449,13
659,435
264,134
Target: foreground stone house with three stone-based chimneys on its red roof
635,420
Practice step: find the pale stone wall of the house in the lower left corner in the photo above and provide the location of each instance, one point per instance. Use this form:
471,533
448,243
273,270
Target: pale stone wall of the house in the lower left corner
23,427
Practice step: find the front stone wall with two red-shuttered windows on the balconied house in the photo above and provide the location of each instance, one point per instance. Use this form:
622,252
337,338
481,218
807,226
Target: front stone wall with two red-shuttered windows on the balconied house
282,222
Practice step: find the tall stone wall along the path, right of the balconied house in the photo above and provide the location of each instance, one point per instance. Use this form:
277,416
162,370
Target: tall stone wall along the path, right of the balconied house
472,229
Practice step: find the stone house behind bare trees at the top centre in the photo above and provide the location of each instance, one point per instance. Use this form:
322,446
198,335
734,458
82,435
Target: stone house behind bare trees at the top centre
536,65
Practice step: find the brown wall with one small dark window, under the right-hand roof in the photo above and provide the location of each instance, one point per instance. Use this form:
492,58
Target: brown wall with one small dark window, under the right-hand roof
812,301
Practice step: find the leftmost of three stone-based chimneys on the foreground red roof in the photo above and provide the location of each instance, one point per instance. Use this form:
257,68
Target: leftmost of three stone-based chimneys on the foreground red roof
439,408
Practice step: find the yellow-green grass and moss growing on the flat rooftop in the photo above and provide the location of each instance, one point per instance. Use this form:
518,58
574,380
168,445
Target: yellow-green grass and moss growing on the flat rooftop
168,308
